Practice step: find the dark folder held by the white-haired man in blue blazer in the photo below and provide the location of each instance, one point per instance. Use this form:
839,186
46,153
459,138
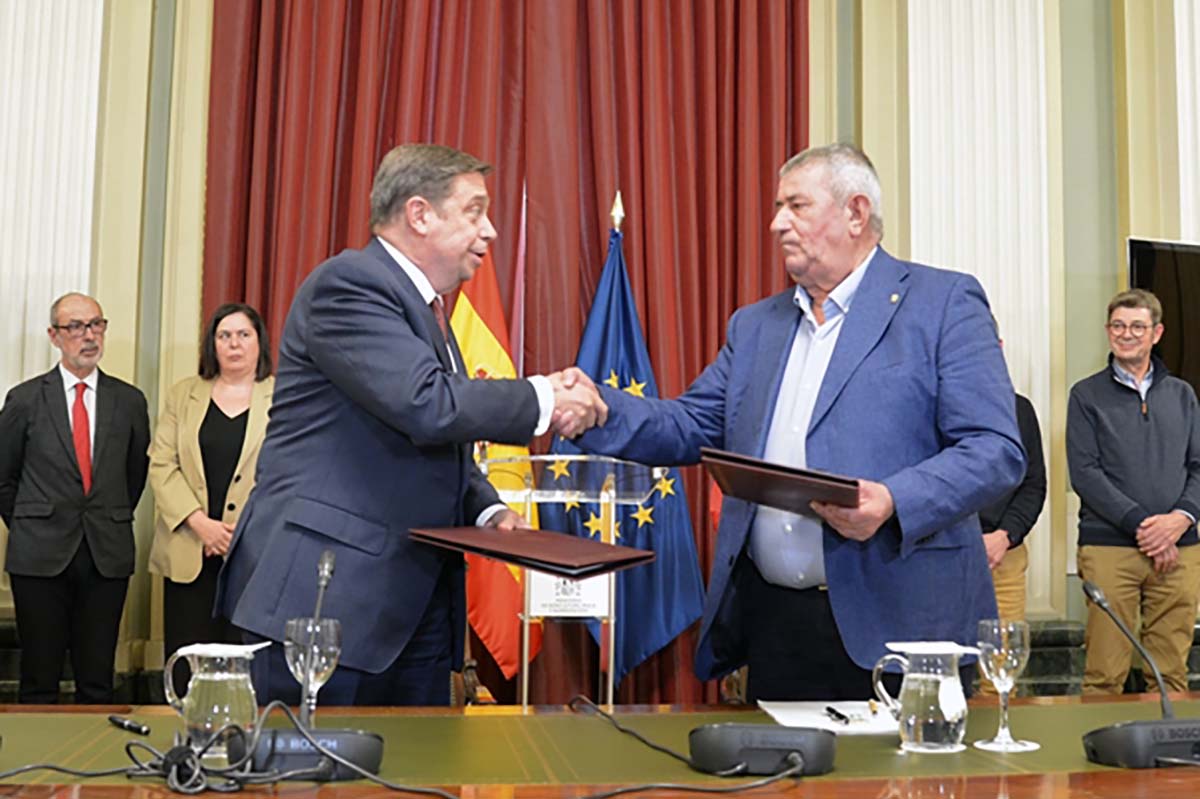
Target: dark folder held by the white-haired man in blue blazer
776,485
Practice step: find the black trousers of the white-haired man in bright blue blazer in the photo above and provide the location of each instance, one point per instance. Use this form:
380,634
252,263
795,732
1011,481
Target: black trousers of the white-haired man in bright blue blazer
795,648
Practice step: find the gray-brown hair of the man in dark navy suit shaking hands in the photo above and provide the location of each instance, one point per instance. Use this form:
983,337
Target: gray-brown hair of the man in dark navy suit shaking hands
418,171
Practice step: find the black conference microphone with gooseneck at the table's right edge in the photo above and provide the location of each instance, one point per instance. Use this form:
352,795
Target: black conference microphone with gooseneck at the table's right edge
1143,744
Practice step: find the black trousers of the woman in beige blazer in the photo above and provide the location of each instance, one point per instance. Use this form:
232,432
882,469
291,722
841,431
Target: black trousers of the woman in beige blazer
188,617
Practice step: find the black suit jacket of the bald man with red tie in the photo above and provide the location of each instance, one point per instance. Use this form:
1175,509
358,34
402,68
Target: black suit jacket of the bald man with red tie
41,490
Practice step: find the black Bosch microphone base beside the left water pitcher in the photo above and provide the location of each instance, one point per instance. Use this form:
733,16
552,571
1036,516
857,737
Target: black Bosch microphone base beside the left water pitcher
287,750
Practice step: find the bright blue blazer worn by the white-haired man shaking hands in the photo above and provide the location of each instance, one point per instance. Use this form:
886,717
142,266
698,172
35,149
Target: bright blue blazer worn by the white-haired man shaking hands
916,397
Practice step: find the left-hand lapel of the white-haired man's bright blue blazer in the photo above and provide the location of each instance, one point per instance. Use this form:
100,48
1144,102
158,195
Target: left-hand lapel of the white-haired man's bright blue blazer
772,349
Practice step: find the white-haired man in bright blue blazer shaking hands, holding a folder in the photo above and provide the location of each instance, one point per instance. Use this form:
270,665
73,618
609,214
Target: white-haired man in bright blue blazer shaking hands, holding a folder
872,368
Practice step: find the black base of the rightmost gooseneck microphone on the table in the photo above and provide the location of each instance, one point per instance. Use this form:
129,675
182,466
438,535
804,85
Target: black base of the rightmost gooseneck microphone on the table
1141,744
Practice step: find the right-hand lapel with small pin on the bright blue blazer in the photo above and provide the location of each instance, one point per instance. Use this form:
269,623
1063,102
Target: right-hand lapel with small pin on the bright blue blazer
871,314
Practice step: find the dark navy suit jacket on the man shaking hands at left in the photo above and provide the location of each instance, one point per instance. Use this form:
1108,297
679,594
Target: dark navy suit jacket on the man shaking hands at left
370,435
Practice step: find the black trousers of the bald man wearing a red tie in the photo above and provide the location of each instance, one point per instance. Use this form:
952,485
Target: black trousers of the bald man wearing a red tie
79,611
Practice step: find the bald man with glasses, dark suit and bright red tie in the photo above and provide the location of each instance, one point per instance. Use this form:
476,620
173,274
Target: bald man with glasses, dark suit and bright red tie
73,467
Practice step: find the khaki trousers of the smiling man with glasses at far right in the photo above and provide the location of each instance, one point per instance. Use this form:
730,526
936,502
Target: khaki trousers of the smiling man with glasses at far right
1167,604
